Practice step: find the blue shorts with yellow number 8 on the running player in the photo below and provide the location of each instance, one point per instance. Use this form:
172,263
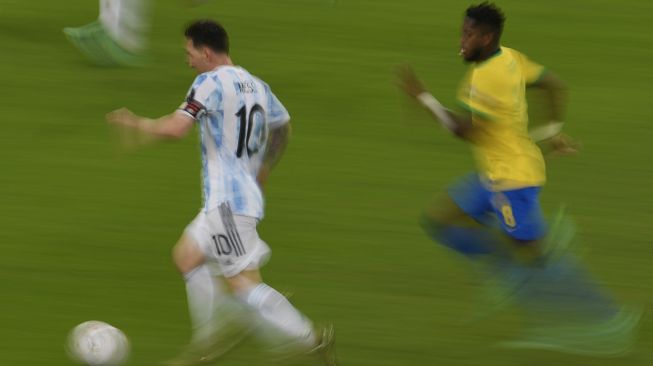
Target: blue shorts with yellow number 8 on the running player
518,210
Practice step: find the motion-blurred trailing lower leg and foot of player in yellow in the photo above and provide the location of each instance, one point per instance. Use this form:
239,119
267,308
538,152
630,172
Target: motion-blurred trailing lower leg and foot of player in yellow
570,311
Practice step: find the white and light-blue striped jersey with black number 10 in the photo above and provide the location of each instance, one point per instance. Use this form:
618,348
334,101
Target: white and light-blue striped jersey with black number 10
235,112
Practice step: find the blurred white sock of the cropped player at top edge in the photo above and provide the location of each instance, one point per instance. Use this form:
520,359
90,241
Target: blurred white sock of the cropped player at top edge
127,22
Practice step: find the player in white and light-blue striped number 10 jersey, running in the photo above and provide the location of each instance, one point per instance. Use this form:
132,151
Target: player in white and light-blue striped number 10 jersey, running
243,132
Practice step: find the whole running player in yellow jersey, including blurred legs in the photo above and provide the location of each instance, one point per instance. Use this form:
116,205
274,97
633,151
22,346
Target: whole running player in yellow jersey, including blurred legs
503,193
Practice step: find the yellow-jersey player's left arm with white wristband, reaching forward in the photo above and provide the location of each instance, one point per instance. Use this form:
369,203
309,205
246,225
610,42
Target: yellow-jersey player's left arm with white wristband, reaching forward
459,124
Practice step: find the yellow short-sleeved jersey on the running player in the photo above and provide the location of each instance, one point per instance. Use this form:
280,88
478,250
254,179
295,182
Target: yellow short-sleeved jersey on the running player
494,91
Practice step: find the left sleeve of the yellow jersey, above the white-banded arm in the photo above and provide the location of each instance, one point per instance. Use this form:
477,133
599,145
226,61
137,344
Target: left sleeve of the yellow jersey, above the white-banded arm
476,95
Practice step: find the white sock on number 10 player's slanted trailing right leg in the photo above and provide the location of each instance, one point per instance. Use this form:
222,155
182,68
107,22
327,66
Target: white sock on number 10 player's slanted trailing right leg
274,308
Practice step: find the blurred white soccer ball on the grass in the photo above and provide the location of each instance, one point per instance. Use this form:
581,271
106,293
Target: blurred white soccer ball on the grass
97,343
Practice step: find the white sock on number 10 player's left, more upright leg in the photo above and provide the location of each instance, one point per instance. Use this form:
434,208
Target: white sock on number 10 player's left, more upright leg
204,294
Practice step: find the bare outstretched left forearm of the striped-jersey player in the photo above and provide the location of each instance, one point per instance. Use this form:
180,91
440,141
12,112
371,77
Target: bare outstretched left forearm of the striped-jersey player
172,126
